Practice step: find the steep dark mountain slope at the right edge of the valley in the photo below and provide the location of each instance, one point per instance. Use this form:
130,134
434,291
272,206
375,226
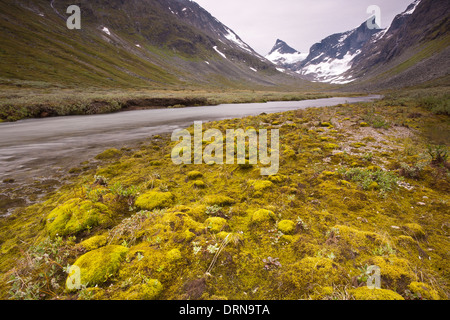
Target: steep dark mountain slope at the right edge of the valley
415,49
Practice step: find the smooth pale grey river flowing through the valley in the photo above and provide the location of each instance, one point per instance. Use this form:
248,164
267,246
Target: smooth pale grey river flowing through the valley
39,148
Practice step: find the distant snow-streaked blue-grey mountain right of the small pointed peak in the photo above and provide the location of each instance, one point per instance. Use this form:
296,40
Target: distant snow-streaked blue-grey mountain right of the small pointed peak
329,59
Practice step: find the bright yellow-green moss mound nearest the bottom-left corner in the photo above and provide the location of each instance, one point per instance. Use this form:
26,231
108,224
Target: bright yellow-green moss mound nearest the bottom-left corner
97,266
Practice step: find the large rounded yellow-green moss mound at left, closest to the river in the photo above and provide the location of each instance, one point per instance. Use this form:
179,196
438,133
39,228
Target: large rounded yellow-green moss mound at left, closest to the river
77,215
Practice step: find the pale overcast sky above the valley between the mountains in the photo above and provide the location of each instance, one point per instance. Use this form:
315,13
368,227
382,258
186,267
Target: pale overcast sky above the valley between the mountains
300,23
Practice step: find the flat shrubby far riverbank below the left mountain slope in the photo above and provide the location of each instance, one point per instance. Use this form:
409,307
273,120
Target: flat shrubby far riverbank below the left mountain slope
25,103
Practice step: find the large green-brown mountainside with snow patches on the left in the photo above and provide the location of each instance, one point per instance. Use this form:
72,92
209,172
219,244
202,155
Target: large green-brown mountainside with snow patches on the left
133,43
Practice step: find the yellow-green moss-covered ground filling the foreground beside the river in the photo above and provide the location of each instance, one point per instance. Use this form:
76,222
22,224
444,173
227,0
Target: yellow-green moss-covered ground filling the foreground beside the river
359,185
